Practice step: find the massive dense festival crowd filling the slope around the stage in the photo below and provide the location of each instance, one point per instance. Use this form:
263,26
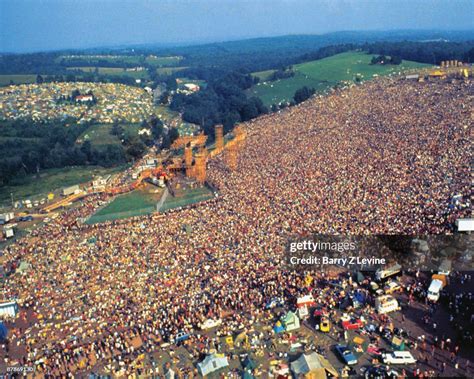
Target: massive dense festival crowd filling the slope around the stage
385,157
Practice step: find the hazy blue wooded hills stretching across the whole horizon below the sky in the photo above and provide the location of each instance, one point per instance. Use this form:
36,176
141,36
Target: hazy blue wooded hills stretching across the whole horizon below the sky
249,55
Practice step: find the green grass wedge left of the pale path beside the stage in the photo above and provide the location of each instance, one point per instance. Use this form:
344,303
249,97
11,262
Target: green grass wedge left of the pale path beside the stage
136,203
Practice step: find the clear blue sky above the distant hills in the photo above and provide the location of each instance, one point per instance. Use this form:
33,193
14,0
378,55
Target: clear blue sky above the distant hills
37,25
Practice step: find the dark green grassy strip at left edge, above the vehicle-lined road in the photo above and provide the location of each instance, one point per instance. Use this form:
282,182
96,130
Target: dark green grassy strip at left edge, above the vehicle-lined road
50,180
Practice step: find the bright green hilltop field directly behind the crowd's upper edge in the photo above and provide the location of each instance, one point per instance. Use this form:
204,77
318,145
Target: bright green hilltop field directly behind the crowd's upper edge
323,74
